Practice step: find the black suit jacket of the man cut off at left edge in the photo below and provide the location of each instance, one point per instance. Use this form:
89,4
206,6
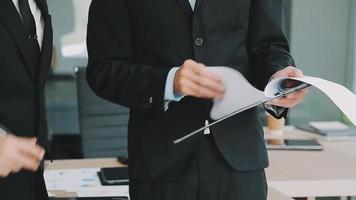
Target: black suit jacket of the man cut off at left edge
22,104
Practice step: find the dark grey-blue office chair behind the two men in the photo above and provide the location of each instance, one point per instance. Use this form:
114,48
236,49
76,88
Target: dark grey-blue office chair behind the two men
103,125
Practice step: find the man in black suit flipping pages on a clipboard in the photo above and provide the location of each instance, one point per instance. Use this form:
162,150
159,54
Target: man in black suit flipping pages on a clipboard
147,55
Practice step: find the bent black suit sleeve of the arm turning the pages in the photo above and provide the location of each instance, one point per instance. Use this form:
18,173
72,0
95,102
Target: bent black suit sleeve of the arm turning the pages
112,72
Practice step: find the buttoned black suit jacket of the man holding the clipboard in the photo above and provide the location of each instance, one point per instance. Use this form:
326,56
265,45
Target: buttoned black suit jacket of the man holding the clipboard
134,43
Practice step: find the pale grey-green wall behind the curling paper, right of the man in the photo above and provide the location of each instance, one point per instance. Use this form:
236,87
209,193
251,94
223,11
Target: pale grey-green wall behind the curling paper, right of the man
320,31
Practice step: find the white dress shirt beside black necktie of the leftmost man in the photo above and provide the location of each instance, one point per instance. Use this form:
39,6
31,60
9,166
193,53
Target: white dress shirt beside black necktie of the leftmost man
36,12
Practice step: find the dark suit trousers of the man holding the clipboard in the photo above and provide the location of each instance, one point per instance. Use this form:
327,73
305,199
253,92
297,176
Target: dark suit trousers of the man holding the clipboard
210,178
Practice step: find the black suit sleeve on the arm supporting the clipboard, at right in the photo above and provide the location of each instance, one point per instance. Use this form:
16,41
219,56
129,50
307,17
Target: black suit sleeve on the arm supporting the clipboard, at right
268,45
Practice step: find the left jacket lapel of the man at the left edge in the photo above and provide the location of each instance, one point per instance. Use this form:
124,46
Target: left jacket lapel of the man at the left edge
13,22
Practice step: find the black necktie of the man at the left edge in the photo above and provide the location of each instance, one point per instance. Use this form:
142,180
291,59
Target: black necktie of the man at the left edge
30,25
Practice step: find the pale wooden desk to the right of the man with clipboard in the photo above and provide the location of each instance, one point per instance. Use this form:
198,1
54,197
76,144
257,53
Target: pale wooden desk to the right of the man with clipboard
327,173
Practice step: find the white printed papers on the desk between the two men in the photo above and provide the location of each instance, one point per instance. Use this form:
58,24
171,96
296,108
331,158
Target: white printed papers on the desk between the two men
84,182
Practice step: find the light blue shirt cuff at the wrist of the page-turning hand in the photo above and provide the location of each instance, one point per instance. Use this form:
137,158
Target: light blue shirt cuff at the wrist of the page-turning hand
169,94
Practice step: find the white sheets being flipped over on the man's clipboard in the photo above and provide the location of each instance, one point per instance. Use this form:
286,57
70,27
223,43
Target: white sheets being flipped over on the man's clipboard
240,93
